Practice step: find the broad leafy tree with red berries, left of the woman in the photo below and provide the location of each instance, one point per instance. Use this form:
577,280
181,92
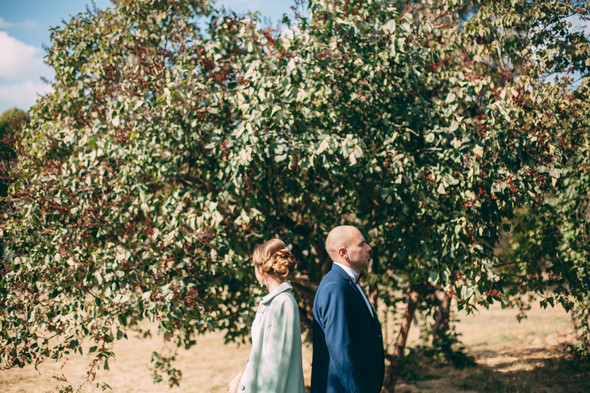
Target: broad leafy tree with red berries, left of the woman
120,209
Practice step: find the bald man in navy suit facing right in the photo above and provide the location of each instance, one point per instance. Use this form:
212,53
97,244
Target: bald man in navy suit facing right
347,341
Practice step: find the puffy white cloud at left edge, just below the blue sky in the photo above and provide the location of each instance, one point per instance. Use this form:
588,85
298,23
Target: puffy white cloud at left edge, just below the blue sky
20,61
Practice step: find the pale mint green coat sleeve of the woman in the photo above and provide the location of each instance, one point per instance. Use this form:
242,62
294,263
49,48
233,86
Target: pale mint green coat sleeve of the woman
278,346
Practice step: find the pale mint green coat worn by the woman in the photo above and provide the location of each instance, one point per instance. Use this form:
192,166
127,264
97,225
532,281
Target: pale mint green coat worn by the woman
275,364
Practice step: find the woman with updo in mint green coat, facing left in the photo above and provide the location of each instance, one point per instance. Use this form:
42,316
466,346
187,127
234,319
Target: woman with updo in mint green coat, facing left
274,364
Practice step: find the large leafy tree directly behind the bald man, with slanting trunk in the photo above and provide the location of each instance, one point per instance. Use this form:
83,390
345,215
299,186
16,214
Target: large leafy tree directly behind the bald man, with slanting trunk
417,128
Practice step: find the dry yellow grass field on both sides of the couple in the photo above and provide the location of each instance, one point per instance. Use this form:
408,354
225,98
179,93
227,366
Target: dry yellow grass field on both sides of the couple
511,357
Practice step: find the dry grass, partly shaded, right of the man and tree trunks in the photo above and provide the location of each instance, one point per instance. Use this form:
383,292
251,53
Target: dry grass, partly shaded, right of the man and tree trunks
527,356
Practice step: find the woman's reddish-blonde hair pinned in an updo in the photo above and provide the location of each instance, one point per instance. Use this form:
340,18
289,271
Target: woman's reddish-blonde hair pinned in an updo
272,257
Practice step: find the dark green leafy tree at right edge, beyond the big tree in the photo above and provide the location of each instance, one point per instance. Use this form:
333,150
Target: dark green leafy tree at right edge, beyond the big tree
547,250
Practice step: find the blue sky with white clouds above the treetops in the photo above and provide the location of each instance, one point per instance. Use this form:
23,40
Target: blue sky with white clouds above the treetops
24,32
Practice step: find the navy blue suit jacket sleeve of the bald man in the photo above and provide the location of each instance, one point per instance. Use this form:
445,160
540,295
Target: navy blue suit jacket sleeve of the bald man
336,313
